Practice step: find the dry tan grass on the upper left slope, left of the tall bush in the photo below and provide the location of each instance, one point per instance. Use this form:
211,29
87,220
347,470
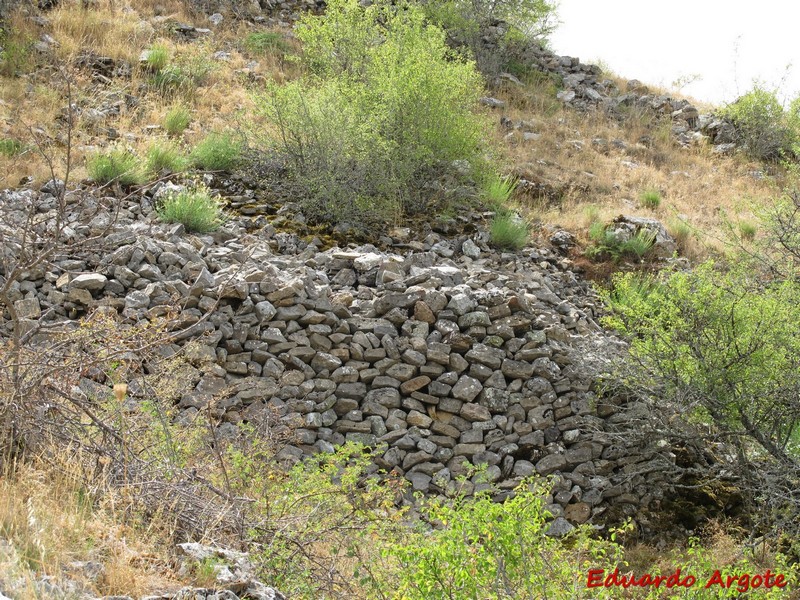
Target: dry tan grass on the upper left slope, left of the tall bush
31,104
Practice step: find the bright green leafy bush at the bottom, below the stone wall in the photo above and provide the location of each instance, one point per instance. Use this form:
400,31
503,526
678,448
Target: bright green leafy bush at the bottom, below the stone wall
485,549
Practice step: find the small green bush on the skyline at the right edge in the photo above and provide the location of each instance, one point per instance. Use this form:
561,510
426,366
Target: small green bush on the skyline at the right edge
762,126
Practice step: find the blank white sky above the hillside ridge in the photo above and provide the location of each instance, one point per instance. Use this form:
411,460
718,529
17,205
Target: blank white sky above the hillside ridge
728,43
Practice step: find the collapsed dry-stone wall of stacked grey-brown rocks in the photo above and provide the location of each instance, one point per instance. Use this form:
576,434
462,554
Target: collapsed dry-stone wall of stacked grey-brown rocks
442,350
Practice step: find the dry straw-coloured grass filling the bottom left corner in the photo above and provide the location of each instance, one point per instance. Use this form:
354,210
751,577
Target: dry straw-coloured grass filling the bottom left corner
50,523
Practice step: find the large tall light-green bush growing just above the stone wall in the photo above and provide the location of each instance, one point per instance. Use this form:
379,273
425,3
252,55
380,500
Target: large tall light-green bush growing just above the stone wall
386,111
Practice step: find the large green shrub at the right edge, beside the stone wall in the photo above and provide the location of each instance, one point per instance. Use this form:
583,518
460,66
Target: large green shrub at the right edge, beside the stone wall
727,342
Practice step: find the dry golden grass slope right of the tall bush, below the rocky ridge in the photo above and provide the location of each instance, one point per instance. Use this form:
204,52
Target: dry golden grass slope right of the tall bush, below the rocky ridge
573,169
